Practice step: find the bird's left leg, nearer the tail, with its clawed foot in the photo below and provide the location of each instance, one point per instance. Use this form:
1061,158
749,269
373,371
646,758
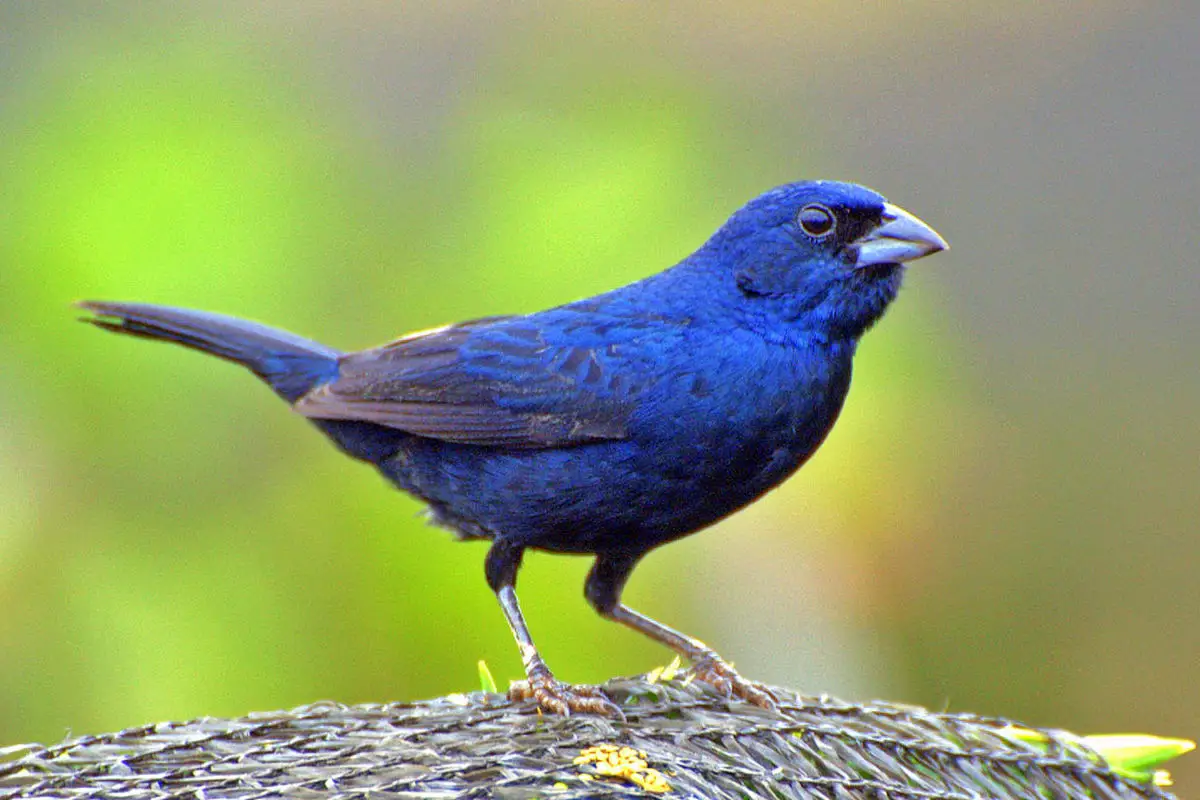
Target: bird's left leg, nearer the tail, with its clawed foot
502,566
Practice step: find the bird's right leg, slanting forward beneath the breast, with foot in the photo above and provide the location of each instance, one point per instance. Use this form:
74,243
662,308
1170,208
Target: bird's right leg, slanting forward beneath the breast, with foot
603,591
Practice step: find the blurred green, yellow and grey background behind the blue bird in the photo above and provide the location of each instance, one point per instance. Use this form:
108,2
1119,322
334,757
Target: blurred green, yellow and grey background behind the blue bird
1005,520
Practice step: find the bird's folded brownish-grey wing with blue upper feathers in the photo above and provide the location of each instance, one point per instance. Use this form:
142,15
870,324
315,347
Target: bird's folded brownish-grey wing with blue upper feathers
494,382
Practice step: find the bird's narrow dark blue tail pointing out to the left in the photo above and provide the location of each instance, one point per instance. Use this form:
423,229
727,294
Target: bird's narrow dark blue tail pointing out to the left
290,364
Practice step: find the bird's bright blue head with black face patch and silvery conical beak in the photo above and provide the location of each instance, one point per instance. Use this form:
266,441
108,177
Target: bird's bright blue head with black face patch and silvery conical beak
821,255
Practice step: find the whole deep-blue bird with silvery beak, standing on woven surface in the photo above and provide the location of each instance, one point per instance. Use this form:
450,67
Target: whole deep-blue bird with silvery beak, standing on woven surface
613,425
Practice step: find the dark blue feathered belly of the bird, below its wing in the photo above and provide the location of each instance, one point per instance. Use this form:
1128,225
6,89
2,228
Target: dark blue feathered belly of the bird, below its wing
627,496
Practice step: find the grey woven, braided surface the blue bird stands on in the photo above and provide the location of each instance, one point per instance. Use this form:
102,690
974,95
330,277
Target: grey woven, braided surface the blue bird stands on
692,743
